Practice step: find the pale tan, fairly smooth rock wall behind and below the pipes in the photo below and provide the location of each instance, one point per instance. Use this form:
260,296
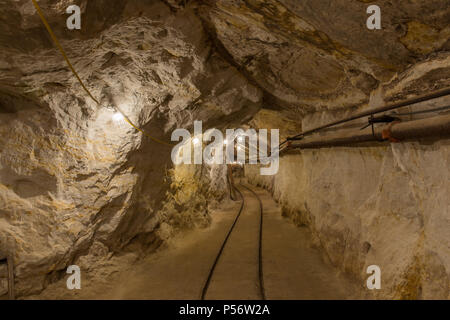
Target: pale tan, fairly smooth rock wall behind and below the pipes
384,205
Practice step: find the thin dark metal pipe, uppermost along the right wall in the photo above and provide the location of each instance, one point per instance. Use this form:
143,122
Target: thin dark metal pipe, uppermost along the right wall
392,106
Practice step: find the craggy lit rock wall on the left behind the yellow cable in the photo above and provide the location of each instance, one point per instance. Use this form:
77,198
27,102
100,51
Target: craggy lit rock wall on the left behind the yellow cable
72,178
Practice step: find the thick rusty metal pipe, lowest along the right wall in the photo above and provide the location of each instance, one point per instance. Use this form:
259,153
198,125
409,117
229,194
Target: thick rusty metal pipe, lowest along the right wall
435,127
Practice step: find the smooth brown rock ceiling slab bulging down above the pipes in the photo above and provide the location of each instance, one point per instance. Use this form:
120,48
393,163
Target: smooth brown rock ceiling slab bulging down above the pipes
312,54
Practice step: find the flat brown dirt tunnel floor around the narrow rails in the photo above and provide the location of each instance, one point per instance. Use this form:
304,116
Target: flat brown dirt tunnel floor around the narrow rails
293,269
